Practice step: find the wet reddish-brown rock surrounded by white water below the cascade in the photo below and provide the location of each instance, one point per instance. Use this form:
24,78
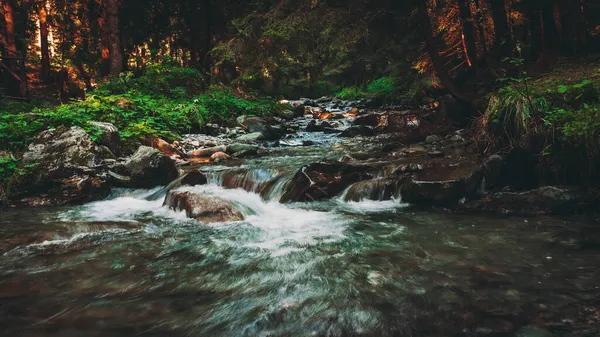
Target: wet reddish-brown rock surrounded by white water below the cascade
204,208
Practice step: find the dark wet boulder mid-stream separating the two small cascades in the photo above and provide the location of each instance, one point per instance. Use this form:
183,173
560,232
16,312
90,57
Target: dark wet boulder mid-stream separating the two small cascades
323,180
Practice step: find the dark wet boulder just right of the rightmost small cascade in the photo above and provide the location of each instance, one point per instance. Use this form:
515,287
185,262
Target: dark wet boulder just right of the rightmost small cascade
445,186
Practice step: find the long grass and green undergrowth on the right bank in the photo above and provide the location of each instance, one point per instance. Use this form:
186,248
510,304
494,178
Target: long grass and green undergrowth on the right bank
556,116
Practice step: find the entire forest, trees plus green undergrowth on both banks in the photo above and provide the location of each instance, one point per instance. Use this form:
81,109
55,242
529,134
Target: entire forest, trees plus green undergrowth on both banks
524,73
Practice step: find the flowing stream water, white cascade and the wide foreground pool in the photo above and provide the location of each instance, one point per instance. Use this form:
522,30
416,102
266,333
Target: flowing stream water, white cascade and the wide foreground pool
128,266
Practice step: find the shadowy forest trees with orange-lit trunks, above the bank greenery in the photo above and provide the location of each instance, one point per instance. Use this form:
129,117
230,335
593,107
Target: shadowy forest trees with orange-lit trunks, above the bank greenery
299,48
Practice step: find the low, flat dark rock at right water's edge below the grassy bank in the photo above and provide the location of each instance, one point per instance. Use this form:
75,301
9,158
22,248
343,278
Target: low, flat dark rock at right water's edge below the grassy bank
542,201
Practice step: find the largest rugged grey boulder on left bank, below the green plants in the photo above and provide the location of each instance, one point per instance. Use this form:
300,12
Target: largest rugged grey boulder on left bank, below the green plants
61,166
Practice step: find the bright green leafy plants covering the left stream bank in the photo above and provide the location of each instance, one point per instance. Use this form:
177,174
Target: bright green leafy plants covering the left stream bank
141,108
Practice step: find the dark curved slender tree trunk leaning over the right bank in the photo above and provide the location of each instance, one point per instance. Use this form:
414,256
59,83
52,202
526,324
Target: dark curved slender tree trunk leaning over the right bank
432,50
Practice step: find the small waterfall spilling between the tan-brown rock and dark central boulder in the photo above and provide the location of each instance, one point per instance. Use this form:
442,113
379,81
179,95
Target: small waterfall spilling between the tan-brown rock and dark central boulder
268,183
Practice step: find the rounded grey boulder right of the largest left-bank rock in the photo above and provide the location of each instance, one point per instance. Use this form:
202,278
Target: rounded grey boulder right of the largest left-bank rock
149,168
